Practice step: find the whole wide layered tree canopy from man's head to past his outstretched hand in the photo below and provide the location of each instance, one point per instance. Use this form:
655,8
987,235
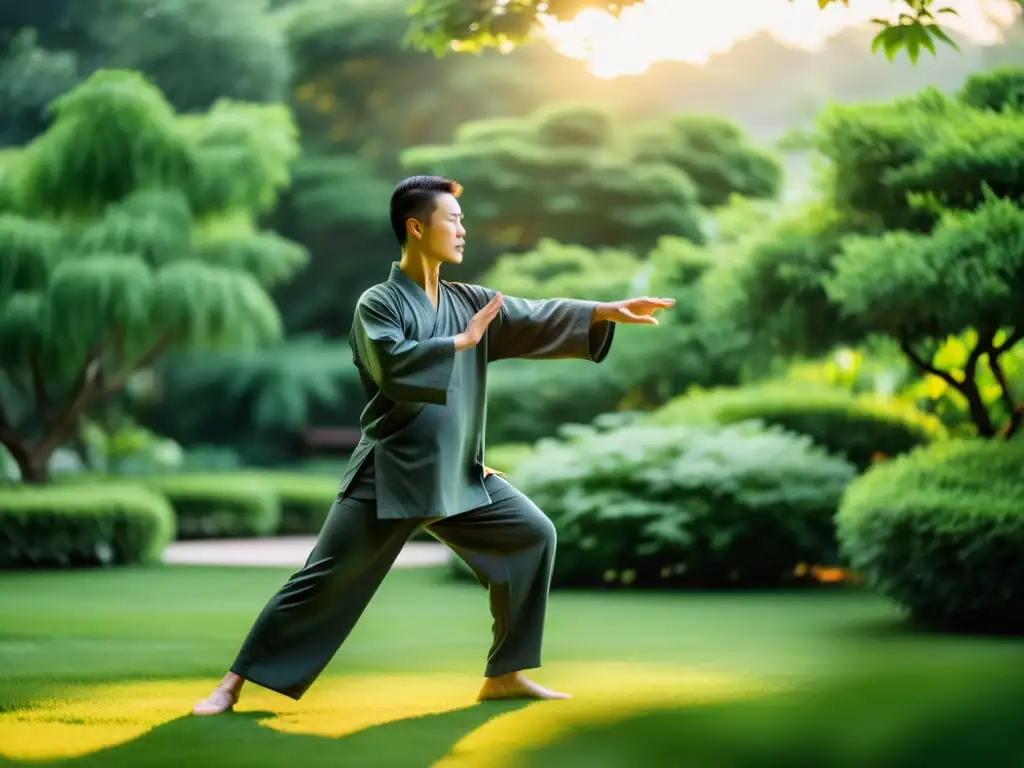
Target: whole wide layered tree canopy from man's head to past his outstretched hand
576,175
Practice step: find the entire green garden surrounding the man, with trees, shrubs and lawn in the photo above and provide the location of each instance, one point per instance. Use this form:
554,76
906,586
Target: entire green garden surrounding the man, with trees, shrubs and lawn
790,522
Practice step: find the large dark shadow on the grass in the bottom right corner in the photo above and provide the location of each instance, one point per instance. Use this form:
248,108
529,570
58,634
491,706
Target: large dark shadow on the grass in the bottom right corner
890,719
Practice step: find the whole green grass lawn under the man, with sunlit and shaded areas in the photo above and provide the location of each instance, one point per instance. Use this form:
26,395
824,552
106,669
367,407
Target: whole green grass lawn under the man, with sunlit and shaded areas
102,668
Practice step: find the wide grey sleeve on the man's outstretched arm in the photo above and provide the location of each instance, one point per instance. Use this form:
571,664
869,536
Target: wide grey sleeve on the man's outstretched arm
548,329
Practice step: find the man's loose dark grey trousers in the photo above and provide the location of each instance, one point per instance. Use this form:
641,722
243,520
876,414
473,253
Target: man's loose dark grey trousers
510,545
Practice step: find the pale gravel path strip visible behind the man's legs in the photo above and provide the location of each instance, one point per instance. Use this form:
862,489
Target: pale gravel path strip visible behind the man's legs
284,552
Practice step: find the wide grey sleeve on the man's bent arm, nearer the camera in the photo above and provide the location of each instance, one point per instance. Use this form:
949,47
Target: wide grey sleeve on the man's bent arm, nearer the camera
406,371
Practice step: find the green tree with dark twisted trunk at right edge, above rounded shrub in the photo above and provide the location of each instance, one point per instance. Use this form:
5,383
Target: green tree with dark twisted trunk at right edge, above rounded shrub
965,278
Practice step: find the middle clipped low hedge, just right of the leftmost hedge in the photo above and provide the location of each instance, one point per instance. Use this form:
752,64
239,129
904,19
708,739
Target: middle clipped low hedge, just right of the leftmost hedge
220,506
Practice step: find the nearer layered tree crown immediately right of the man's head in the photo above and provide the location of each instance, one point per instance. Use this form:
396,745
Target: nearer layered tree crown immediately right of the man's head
545,177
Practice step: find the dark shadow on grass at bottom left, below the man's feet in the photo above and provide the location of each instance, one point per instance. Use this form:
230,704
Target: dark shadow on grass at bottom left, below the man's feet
239,741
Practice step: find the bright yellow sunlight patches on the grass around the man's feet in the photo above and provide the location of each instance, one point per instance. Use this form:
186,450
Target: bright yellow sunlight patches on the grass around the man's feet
88,719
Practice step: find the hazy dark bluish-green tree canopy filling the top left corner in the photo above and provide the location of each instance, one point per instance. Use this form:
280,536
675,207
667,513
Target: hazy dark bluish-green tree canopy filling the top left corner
195,52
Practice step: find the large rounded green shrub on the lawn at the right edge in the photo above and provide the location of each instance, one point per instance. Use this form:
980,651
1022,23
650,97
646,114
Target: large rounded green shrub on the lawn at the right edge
942,532
